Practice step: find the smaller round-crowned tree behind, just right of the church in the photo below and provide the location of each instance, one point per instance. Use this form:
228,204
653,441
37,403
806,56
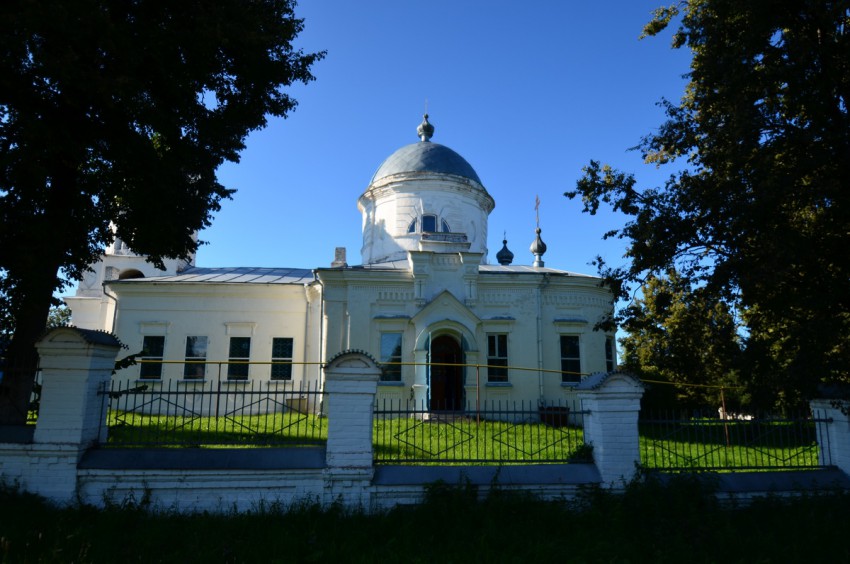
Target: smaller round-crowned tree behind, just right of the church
681,336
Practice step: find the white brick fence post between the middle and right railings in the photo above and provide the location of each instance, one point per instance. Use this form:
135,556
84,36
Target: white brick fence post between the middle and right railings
612,404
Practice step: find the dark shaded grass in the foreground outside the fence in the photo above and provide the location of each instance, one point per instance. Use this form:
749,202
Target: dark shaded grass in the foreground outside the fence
650,522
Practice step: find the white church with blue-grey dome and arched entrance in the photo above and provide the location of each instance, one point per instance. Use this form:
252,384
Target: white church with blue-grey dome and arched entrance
446,326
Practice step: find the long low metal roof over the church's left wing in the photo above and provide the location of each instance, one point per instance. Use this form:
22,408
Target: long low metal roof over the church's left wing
230,275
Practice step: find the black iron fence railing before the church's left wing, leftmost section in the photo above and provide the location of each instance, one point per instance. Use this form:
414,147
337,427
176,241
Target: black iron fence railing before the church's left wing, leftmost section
212,413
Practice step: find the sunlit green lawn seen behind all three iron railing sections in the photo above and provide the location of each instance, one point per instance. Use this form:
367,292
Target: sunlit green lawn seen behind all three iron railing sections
460,439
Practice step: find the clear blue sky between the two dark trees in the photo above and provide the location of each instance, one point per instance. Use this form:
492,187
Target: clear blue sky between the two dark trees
527,92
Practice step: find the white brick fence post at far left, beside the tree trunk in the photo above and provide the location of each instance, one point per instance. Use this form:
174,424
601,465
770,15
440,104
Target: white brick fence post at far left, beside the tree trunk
74,364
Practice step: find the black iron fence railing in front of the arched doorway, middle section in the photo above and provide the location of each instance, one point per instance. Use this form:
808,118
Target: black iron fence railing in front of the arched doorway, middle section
492,432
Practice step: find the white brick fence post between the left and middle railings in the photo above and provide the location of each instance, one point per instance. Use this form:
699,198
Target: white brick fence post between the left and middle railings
351,382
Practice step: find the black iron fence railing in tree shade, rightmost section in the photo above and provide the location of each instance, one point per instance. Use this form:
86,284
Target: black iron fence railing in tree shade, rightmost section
736,442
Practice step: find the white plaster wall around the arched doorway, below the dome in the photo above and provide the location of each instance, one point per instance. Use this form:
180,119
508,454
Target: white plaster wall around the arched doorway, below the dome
365,303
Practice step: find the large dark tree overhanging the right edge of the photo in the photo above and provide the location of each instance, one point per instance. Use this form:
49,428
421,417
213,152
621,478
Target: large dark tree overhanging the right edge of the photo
757,212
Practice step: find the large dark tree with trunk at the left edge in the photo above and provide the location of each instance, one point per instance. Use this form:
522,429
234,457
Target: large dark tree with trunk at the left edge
121,112
